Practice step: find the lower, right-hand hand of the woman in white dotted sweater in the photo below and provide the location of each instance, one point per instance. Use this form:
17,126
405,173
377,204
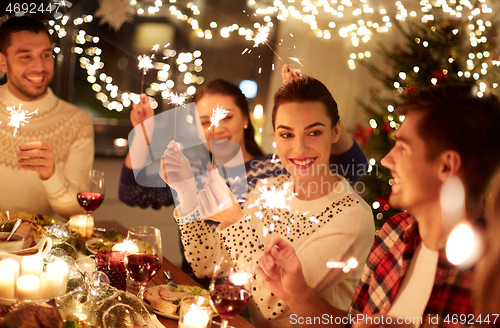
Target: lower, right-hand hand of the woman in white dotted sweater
217,202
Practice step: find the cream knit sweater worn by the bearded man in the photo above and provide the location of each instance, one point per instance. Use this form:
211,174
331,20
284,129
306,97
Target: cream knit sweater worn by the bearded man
70,132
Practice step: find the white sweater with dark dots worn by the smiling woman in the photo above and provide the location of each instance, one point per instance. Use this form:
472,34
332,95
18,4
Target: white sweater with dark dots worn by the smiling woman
336,227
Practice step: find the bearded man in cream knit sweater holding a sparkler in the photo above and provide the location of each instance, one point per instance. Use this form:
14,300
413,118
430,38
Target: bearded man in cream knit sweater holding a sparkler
41,165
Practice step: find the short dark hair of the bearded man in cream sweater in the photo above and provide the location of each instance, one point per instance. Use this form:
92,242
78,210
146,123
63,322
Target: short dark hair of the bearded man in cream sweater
18,24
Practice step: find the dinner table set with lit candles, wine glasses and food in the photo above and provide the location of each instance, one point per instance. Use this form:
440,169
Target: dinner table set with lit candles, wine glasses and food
97,274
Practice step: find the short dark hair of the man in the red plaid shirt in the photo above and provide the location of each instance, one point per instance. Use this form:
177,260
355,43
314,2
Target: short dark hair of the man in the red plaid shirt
455,118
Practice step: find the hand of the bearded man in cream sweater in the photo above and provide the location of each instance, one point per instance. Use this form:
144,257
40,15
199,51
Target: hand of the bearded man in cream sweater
37,156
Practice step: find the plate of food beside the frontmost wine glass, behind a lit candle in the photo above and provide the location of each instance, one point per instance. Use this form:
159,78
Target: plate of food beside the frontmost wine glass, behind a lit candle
166,299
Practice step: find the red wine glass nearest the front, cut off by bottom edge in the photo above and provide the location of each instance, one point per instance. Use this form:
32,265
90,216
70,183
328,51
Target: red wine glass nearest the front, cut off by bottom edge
228,288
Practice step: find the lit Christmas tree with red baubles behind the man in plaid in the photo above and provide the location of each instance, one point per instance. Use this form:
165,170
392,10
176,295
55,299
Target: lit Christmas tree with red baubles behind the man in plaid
439,48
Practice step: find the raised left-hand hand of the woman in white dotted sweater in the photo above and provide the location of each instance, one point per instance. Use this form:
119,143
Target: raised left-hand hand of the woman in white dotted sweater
176,171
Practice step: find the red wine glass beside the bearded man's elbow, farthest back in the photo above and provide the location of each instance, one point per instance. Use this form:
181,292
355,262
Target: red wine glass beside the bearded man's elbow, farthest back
91,191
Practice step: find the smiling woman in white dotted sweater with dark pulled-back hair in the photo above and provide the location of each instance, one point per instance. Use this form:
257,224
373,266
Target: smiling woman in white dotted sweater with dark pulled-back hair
324,218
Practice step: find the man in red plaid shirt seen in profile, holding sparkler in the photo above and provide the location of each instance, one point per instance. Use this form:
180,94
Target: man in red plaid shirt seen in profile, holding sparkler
448,132
